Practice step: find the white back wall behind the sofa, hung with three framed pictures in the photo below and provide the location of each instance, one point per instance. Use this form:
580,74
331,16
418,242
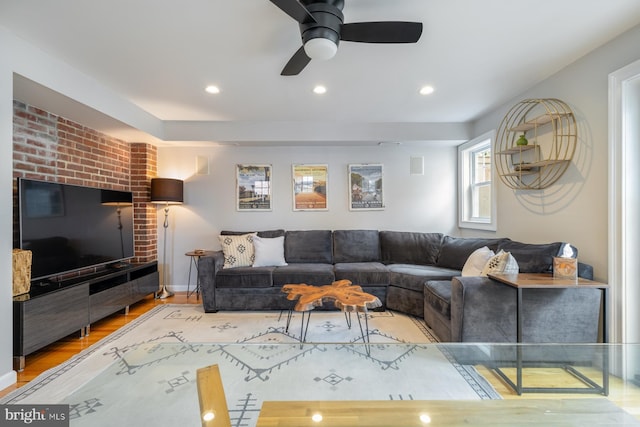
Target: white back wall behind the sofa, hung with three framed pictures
413,202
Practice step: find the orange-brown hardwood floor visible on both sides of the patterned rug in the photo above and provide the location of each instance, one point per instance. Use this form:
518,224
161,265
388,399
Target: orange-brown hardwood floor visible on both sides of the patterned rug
625,396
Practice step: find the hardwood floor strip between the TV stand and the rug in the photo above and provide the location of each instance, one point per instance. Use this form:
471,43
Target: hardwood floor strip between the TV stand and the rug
64,349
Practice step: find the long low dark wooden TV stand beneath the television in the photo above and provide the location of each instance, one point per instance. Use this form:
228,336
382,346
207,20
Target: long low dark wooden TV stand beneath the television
56,310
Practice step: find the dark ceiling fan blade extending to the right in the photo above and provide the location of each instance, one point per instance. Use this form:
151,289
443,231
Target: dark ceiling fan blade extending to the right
381,32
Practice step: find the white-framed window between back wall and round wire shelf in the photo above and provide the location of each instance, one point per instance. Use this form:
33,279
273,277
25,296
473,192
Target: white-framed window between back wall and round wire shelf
476,195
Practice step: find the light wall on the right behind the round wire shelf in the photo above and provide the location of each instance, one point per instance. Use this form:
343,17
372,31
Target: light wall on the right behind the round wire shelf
575,208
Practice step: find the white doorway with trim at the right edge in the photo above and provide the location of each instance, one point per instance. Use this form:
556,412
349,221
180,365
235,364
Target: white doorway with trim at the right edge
624,210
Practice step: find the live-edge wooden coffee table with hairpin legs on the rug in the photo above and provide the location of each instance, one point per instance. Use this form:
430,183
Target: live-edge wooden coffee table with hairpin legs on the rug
345,296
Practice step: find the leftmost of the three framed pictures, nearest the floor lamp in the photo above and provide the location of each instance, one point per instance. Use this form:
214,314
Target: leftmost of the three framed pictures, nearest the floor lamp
253,187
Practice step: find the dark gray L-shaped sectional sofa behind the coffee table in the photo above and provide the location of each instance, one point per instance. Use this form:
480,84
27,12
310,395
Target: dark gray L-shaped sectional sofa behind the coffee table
415,273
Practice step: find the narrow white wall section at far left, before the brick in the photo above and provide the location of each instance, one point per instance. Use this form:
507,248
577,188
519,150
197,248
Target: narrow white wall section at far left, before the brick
7,375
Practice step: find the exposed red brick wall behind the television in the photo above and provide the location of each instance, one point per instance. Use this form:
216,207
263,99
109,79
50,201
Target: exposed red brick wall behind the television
52,148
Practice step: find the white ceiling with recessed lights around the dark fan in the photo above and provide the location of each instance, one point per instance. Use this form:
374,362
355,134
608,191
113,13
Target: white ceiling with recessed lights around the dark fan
160,55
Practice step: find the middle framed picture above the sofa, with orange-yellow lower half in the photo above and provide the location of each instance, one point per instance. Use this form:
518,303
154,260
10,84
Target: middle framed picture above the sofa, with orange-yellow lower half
310,187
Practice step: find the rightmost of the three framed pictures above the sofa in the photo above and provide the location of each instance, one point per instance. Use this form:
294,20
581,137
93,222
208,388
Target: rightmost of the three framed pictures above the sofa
365,187
